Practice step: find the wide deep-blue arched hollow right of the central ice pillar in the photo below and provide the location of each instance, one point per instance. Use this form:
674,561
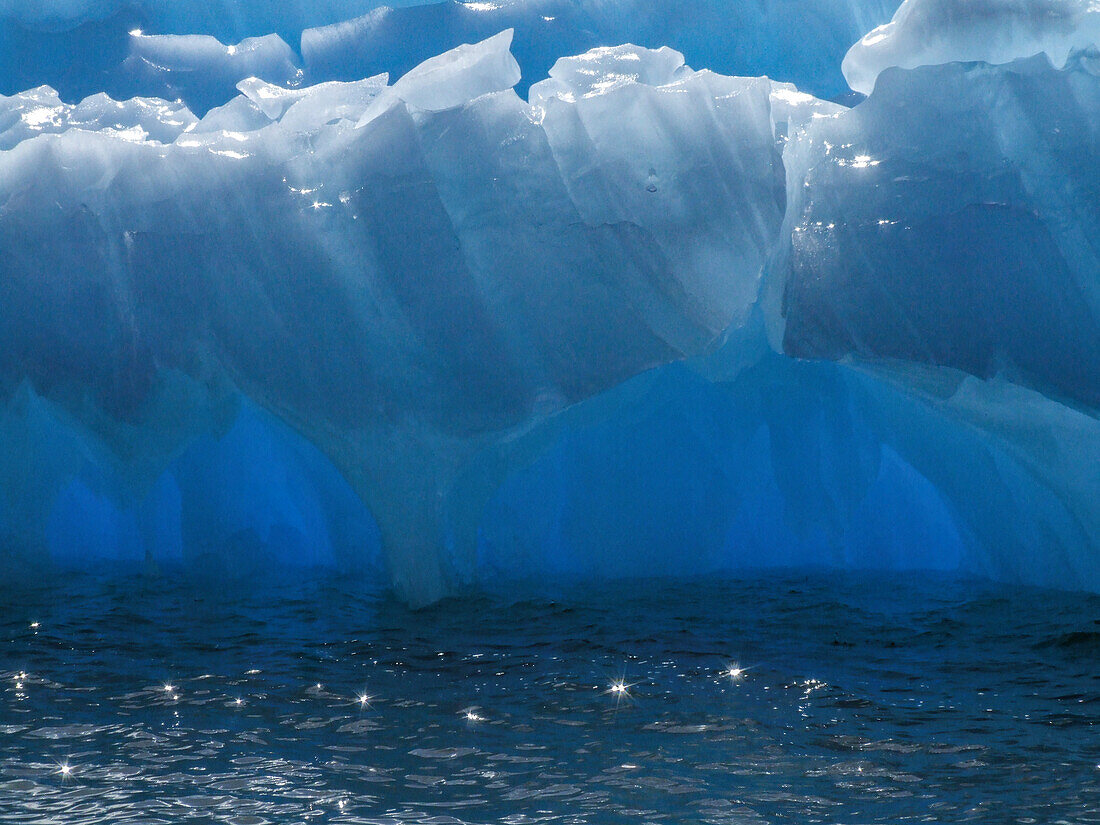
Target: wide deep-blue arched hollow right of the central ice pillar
780,466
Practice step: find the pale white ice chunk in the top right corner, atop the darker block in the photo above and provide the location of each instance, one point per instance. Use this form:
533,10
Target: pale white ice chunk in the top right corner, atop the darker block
932,32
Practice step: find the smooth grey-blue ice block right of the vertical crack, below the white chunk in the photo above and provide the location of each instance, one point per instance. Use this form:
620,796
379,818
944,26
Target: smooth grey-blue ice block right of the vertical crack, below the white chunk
945,222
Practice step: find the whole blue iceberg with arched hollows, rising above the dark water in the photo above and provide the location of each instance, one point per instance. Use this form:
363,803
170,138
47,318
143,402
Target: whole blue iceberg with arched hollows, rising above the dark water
647,322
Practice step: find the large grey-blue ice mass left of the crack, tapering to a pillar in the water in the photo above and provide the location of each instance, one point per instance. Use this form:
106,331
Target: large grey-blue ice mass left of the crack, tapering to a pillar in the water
461,263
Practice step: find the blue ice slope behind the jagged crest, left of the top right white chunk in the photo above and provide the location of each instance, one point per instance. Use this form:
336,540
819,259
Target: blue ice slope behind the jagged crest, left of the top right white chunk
734,39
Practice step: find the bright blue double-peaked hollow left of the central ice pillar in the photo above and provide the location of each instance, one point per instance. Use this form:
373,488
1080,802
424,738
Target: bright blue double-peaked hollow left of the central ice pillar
196,481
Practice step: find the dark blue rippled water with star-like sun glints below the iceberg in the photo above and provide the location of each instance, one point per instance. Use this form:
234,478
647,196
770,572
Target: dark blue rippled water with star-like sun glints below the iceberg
864,700
